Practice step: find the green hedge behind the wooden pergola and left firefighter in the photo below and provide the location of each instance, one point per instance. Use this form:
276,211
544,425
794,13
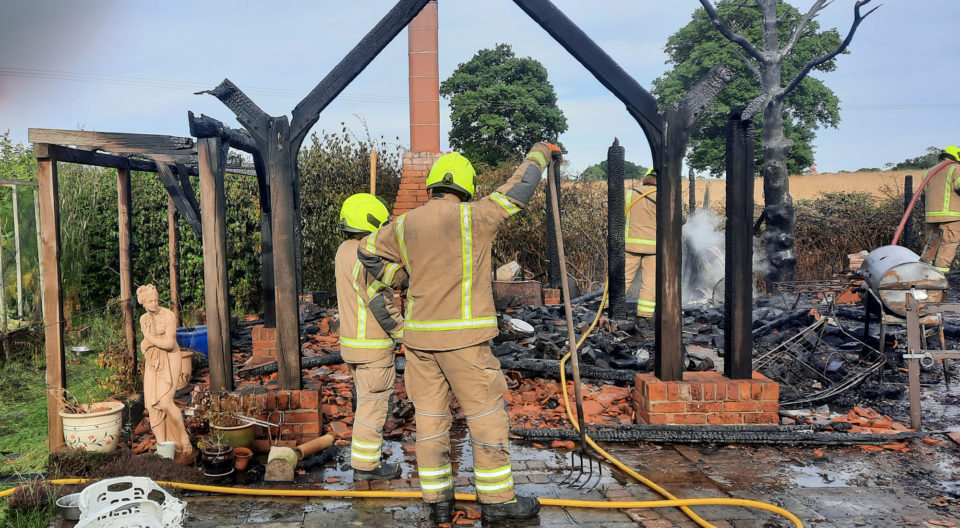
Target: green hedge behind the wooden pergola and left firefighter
332,167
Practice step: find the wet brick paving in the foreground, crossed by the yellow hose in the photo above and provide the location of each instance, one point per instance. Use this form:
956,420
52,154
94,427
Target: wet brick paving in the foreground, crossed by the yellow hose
828,487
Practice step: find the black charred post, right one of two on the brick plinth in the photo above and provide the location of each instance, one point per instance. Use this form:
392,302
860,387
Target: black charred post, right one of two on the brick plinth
738,275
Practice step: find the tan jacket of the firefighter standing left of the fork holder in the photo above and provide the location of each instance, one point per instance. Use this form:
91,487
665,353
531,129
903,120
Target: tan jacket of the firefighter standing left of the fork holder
362,338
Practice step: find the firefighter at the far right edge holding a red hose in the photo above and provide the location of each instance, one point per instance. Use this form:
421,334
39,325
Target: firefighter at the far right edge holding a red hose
942,221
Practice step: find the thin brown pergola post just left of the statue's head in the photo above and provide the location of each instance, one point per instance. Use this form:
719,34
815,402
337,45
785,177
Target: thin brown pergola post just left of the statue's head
125,223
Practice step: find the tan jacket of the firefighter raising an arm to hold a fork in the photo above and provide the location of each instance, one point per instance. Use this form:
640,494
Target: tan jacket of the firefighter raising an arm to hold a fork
445,246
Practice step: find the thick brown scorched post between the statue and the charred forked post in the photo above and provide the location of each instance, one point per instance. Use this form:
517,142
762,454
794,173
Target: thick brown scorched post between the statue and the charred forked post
212,158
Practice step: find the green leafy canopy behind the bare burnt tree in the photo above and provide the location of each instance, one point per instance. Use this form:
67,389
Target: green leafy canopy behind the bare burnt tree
696,47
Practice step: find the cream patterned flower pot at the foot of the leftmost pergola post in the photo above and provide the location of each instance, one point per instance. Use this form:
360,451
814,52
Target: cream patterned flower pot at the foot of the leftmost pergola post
97,430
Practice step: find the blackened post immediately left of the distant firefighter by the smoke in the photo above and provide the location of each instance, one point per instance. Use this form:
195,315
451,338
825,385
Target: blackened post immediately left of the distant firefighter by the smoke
615,232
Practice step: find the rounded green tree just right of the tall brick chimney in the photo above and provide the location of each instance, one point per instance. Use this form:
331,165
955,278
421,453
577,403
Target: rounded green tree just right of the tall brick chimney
500,105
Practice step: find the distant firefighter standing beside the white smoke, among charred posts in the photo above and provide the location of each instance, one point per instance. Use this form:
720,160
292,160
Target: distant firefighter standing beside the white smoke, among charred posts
641,246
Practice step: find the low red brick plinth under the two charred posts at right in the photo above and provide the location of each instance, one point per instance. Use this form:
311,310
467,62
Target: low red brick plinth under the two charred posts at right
706,398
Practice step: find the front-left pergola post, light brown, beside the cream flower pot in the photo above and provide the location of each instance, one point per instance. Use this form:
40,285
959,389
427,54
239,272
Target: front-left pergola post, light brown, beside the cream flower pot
52,290
